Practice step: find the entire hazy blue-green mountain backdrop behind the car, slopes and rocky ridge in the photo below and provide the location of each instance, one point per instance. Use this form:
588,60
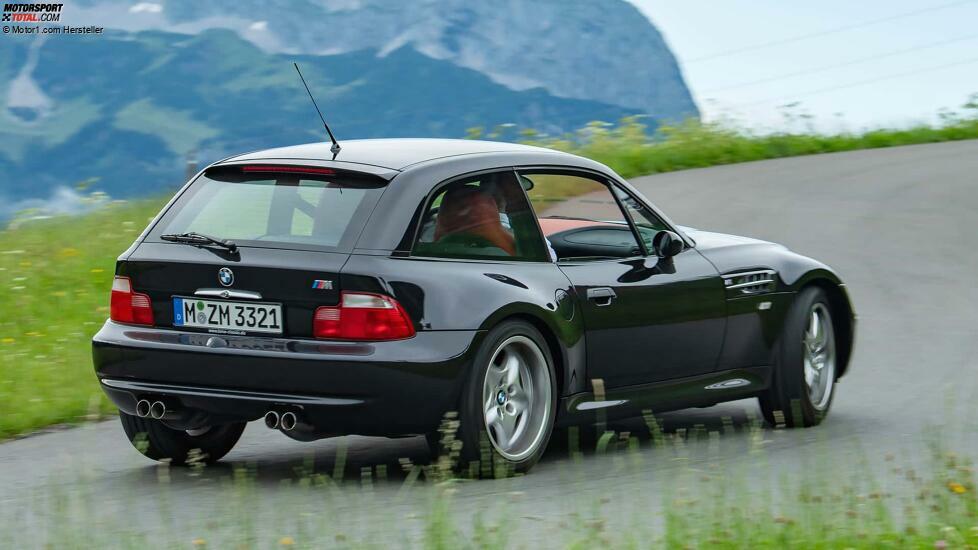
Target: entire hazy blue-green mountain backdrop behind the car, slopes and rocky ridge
130,106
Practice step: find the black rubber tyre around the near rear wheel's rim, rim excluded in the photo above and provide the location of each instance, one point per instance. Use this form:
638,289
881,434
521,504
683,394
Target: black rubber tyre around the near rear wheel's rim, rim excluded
477,448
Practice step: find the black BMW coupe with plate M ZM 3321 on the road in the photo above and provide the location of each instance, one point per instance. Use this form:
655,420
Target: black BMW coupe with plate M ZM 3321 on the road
374,290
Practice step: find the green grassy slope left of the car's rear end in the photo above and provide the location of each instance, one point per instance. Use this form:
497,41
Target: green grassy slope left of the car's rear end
55,277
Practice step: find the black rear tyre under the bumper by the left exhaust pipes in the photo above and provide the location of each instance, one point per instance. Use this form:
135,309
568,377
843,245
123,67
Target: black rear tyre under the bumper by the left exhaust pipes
159,442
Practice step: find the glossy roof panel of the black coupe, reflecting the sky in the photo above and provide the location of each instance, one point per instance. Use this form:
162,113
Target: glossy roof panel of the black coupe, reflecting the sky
394,154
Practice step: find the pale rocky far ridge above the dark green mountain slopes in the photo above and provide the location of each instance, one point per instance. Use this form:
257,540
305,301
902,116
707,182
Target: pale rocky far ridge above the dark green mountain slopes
604,50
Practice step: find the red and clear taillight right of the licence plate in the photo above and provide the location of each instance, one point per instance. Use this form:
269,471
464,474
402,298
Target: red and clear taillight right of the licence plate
363,316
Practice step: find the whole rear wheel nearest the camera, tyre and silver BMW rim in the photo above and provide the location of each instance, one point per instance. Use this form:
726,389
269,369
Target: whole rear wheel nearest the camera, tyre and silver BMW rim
509,403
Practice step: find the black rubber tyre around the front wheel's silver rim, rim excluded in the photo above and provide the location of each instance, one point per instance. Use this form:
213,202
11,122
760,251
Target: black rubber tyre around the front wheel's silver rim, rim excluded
788,402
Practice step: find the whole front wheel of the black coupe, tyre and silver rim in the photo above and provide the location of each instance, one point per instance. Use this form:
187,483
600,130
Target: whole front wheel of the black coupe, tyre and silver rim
804,377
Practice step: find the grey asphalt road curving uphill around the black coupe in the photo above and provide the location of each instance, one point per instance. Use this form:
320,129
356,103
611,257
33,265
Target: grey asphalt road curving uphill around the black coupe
901,227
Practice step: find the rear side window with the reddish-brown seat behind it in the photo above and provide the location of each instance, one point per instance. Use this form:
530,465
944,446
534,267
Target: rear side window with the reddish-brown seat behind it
482,217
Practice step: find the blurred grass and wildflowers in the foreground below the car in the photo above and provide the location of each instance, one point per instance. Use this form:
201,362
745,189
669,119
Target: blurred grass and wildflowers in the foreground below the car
828,501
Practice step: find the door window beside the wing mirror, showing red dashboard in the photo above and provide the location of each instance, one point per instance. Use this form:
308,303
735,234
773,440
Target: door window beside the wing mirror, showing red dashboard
579,217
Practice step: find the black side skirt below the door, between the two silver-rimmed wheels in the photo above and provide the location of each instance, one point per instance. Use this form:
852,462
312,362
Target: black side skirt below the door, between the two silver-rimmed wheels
695,391
